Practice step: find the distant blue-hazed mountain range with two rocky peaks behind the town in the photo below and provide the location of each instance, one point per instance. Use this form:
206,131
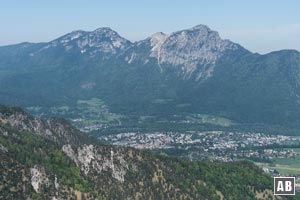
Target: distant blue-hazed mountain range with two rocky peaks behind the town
188,71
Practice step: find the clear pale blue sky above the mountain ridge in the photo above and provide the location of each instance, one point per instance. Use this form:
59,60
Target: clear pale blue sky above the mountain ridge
259,25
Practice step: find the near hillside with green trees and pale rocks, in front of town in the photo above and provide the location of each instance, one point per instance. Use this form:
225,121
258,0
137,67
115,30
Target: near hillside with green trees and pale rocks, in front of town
50,159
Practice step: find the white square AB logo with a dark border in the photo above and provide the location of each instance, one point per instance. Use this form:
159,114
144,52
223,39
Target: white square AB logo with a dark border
284,185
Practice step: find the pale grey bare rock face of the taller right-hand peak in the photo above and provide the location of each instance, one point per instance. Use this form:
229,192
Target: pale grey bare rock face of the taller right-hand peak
193,48
